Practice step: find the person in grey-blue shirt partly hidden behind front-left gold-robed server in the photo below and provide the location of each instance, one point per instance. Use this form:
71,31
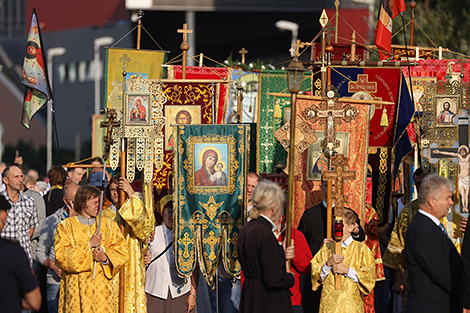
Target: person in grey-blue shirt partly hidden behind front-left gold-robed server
45,250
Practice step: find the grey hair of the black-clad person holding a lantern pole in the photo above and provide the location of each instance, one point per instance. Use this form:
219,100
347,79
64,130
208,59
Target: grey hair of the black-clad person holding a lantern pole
264,196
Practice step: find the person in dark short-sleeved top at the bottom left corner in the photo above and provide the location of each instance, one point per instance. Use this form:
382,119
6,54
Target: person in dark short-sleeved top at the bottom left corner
18,286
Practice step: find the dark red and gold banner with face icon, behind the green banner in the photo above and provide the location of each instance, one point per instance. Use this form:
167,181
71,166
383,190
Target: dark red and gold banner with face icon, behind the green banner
188,103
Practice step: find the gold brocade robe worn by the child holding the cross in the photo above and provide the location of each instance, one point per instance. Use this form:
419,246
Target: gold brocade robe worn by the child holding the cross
350,298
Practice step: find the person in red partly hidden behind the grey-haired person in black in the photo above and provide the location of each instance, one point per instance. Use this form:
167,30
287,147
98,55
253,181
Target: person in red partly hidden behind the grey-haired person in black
300,263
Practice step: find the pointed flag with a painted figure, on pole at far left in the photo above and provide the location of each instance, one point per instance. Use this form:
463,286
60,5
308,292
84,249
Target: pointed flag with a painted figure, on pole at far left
34,77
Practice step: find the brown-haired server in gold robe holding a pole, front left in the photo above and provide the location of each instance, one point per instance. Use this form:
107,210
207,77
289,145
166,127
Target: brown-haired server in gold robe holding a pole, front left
77,246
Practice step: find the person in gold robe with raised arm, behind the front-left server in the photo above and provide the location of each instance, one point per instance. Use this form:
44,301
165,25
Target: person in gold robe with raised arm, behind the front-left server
139,221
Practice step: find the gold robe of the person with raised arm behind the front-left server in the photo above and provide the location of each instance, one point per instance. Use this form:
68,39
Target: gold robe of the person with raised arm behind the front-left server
139,222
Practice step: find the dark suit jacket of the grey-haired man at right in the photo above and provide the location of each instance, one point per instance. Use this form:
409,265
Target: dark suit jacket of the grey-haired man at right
434,268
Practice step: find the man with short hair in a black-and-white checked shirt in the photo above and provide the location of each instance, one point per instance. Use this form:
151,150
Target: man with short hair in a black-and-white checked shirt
23,216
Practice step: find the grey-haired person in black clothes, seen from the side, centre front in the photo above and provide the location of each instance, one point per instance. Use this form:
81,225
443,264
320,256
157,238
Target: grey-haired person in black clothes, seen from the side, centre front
267,275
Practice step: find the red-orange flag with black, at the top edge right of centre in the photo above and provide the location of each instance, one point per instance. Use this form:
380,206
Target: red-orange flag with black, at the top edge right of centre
388,10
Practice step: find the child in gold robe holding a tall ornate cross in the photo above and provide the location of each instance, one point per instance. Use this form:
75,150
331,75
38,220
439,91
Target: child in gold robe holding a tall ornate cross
356,266
